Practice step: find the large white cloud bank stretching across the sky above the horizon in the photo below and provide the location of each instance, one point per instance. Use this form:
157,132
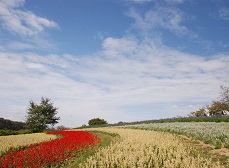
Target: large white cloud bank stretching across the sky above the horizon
140,81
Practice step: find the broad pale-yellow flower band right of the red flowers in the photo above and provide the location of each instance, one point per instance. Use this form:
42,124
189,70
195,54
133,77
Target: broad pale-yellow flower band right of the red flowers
144,148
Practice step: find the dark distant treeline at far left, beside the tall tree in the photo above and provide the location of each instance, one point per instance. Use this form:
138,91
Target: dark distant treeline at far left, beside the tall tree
6,124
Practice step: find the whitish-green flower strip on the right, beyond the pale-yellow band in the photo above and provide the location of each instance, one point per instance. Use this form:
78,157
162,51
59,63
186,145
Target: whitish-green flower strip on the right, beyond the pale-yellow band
214,133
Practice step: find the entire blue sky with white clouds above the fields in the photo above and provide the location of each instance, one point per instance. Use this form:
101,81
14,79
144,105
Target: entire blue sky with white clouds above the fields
118,60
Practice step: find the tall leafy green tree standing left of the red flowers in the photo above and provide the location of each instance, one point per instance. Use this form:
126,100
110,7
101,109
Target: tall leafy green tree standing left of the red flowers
40,116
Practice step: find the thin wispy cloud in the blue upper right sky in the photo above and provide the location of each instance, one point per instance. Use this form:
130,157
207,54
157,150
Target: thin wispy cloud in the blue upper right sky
157,22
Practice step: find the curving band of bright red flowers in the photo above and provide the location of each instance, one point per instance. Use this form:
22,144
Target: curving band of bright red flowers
52,153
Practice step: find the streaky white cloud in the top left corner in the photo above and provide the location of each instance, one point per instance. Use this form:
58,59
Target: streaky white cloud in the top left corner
24,23
